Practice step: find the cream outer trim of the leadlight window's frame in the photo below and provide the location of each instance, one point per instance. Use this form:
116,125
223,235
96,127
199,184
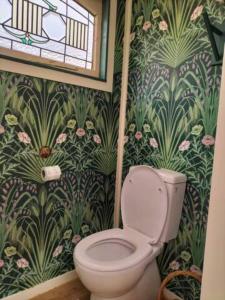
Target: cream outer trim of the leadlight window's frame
9,65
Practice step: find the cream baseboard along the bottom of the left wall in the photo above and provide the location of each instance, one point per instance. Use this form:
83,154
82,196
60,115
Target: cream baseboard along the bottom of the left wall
43,287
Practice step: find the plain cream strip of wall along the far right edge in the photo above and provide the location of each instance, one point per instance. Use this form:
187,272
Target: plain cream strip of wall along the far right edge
215,241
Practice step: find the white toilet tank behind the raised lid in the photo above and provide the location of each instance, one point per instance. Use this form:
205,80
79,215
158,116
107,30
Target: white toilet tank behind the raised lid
175,183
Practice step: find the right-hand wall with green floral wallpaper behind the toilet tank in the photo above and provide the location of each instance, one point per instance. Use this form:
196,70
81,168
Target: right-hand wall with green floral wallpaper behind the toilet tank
173,95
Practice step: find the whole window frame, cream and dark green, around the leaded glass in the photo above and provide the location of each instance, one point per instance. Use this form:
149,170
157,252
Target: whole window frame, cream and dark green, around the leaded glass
102,78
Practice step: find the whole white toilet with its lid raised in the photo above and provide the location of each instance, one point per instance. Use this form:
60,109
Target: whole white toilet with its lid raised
120,264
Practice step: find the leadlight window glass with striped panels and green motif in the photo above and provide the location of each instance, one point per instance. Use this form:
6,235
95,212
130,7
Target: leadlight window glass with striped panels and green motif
59,30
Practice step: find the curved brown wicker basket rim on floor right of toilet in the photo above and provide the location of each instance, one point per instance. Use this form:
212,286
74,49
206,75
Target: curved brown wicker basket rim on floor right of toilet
172,275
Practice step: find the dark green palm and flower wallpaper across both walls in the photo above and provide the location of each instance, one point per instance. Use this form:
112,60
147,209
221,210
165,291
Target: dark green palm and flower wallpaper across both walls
173,96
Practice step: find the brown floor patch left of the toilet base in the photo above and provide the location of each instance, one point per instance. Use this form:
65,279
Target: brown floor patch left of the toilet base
73,290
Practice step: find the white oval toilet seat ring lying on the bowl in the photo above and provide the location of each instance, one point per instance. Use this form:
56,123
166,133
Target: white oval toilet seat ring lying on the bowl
139,242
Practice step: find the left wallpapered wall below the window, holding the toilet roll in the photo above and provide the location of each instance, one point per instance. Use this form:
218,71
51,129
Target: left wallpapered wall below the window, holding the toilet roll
41,223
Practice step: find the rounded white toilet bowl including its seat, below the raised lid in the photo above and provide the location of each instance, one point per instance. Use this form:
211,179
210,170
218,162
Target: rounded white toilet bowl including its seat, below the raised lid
111,262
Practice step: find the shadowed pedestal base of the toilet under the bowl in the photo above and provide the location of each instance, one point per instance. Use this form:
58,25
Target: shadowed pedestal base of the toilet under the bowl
146,288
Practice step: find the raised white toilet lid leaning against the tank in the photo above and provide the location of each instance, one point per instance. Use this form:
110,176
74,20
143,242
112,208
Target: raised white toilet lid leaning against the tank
144,202
